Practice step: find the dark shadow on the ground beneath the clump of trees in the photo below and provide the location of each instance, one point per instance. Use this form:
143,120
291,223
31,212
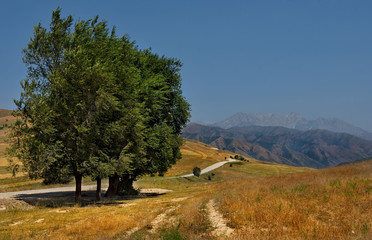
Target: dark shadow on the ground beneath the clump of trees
67,199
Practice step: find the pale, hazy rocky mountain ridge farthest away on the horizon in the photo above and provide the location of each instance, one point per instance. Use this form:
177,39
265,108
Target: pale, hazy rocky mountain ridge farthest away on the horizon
293,121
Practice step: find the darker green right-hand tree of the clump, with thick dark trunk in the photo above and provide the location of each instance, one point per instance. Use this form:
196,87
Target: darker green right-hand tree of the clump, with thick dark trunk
165,112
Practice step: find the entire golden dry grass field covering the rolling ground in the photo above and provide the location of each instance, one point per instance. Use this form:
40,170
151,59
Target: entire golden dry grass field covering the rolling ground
257,200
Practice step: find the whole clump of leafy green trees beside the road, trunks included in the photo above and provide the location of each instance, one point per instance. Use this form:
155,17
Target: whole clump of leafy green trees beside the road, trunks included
93,104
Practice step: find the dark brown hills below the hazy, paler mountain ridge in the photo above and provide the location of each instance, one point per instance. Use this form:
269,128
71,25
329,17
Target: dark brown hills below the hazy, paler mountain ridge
313,148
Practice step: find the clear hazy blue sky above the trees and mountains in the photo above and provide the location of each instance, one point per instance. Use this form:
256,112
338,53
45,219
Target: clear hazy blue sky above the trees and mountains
280,56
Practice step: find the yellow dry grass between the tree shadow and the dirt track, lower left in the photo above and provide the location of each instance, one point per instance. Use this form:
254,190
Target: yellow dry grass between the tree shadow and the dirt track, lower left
113,220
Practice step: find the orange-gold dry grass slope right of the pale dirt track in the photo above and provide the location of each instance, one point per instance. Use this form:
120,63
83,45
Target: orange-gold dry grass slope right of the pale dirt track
334,203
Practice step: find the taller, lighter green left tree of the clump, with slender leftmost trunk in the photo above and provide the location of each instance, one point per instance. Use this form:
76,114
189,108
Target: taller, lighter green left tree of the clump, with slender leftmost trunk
72,89
